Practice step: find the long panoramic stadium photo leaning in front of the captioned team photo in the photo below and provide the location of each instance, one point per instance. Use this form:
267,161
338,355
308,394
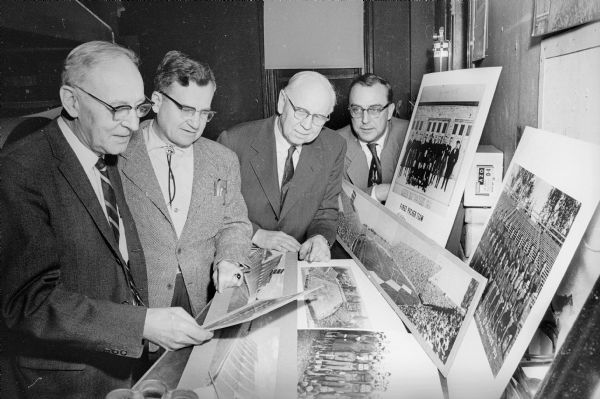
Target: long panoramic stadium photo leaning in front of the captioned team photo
434,293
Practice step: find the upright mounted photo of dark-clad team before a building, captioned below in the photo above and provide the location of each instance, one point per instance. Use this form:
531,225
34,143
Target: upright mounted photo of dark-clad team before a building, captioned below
442,139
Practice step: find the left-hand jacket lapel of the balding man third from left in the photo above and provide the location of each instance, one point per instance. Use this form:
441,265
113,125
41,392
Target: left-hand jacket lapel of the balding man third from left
264,164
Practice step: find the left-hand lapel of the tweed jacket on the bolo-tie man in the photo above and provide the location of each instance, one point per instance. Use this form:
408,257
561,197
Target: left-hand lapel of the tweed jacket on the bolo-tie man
136,166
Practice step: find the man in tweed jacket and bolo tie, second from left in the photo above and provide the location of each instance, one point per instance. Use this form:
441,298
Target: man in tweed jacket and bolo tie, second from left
184,191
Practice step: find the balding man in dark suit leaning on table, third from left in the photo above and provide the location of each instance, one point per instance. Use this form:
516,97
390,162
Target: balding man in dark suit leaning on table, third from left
292,170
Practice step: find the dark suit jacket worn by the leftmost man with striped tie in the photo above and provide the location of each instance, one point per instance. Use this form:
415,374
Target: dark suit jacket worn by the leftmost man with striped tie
64,296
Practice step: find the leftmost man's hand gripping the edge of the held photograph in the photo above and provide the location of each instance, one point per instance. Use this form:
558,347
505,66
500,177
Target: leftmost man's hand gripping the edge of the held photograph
173,328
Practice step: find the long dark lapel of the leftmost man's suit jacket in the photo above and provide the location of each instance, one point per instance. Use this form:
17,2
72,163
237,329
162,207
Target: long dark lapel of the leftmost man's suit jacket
73,172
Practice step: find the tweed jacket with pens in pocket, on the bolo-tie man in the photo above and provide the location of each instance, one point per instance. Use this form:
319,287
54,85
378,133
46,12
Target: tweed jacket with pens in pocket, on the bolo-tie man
216,228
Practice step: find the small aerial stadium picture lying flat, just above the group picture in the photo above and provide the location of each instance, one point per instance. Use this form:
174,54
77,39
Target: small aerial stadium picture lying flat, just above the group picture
338,303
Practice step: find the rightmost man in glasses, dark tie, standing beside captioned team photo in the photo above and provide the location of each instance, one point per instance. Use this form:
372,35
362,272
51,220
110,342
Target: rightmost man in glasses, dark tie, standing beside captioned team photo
372,129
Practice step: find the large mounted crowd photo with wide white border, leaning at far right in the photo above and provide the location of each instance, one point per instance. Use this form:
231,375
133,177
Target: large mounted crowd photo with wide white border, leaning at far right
535,228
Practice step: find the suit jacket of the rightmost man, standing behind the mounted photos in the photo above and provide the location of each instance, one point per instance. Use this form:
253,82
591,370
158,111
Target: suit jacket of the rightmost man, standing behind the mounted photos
356,169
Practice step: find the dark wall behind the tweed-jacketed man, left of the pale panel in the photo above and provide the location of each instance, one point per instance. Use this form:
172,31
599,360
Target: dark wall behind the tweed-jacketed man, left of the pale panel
225,35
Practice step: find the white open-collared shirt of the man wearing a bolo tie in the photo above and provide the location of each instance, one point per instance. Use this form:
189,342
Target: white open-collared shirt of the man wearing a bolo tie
182,166
